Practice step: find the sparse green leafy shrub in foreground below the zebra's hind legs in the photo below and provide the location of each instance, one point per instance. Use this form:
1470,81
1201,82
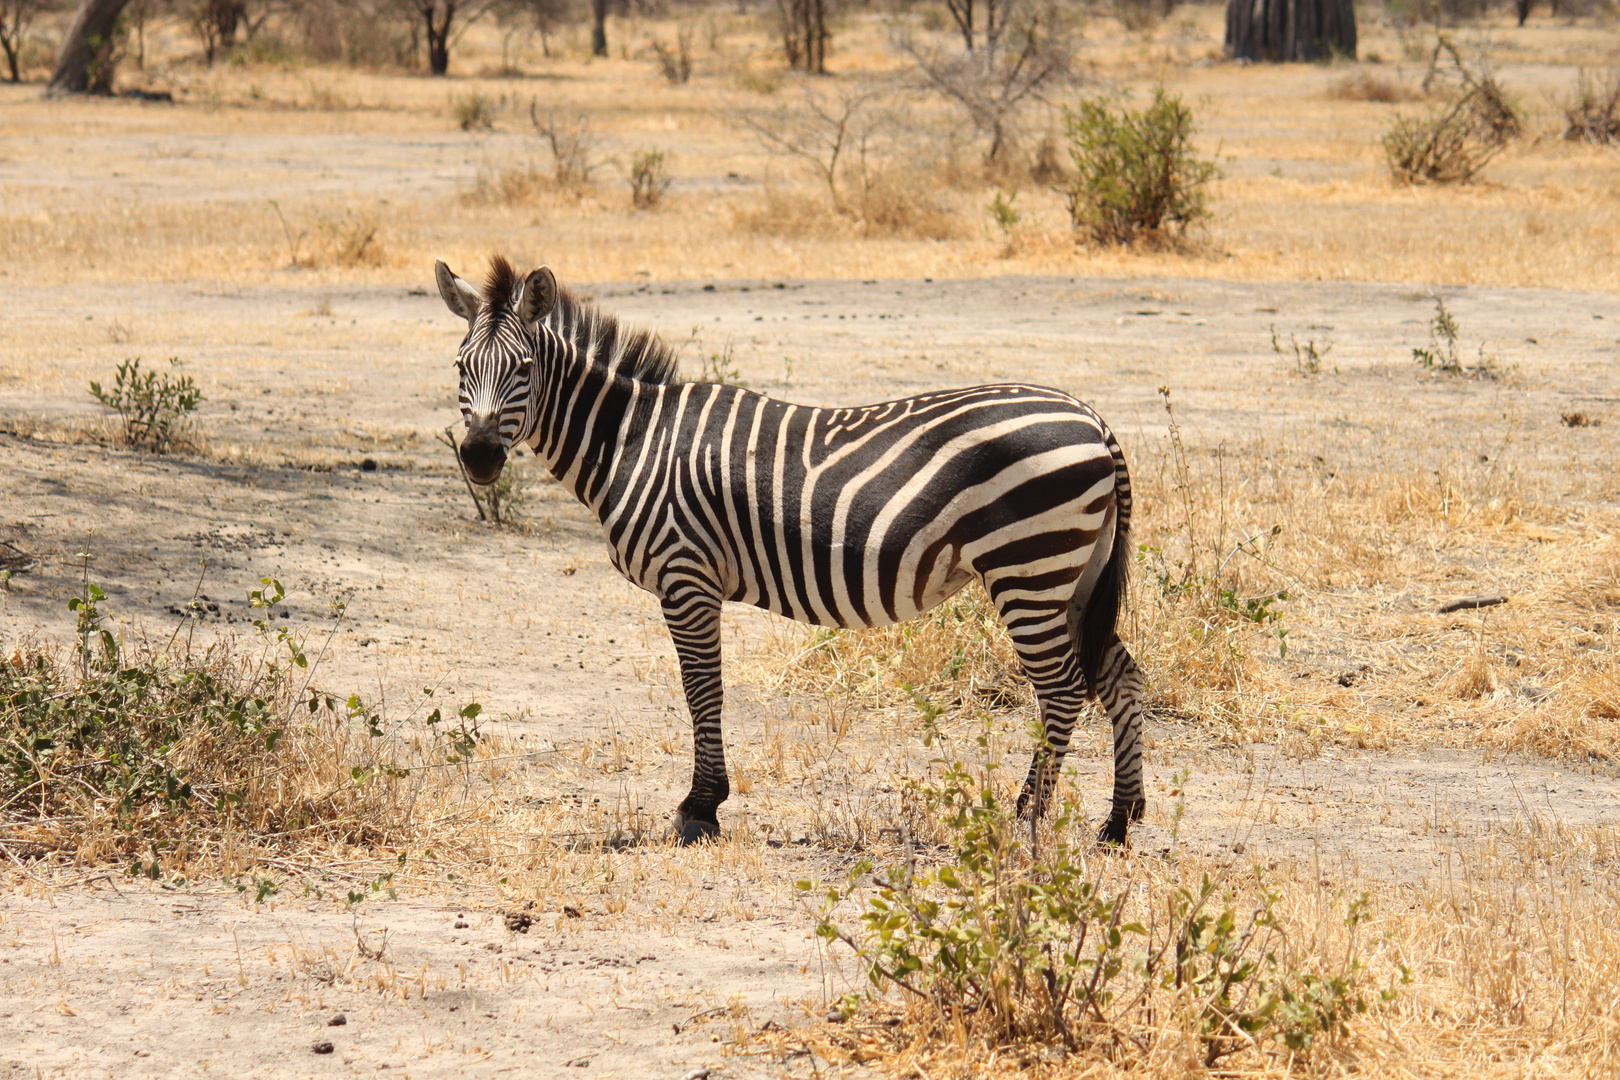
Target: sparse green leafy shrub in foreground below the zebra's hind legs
1007,945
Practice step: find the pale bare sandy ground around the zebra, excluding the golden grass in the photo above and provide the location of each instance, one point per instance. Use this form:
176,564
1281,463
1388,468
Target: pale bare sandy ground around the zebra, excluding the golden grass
305,385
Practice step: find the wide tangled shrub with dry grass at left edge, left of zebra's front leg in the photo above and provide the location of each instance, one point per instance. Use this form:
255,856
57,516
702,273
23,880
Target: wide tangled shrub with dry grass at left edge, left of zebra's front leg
145,754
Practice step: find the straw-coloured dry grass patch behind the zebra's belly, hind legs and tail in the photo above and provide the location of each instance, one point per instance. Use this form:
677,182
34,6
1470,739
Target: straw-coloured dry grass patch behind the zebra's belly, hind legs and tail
1368,660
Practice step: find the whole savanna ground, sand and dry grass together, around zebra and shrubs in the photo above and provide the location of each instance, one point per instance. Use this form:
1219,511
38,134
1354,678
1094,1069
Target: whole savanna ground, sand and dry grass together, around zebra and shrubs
516,909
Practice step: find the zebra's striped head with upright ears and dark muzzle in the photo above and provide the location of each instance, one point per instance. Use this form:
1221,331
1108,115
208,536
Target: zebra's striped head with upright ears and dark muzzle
497,359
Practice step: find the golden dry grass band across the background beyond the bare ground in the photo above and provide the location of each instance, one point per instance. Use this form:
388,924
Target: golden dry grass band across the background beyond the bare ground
1315,151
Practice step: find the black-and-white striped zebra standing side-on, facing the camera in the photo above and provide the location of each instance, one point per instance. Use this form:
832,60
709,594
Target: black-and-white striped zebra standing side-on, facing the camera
837,517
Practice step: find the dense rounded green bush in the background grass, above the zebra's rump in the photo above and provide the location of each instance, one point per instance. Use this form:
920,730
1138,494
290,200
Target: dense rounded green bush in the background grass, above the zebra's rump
1135,171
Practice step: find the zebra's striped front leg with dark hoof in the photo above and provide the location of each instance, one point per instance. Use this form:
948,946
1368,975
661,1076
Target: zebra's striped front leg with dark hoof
693,614
